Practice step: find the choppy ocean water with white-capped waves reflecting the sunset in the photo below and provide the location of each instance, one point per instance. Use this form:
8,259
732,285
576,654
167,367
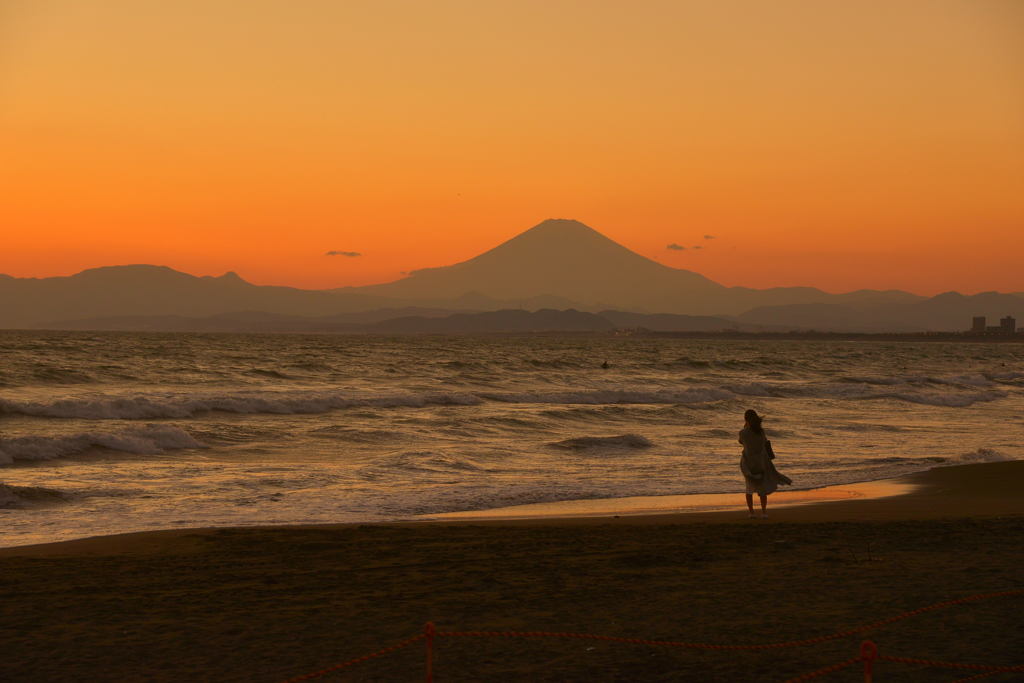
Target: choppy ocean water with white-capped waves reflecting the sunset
112,433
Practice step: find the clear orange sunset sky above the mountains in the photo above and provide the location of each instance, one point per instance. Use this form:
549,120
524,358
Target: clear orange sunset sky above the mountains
837,144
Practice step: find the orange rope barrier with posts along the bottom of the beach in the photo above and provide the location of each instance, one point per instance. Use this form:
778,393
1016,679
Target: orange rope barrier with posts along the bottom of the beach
869,651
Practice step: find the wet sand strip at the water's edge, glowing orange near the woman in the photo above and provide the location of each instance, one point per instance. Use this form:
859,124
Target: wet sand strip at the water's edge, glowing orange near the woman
982,490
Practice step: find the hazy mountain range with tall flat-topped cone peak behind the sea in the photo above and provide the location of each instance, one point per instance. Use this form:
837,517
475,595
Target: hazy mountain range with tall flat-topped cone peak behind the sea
559,265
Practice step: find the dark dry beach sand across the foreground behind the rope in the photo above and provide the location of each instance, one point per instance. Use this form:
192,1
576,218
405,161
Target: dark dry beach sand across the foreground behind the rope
267,605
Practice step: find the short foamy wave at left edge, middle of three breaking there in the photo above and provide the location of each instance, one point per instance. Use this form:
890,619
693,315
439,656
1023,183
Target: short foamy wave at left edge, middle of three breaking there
150,440
